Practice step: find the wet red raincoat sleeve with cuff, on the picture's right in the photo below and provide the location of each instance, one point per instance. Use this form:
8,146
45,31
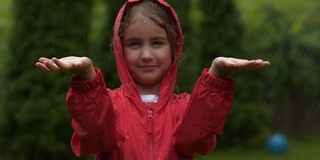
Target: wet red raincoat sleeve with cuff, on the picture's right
210,102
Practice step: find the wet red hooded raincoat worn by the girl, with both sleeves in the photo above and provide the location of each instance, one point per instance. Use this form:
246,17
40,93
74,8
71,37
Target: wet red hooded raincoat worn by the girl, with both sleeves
116,124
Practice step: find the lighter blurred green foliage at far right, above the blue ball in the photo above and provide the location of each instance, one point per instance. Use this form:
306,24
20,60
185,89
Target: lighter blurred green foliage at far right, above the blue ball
287,34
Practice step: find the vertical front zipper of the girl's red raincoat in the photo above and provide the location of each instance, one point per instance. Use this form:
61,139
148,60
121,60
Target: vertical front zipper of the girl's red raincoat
150,134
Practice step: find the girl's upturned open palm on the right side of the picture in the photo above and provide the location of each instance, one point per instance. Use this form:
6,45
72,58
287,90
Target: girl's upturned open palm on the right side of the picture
222,67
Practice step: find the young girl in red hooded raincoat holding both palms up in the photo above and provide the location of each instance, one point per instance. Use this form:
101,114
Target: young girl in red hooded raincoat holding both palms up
143,119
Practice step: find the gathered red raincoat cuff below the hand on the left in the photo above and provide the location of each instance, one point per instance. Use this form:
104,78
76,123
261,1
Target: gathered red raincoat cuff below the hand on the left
89,85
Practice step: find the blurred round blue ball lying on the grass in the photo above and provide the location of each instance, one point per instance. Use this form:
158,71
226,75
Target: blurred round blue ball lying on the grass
277,143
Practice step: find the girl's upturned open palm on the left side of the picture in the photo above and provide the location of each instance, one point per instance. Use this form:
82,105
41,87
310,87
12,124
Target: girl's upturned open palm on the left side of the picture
81,67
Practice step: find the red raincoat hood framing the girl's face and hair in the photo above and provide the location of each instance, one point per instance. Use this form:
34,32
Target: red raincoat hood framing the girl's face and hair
127,82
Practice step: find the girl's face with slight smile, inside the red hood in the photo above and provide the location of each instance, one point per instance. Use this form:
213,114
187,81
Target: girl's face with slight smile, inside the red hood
147,52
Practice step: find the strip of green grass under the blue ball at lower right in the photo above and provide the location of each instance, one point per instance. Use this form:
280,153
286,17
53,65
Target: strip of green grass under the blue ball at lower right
299,149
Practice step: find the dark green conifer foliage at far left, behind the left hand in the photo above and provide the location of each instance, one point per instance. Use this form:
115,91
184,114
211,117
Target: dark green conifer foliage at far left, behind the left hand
35,123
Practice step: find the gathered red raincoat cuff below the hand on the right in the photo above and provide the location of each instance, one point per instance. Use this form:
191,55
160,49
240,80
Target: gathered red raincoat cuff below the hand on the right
220,84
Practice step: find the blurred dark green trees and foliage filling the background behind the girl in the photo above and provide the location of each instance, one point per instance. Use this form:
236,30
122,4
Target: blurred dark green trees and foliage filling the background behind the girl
285,97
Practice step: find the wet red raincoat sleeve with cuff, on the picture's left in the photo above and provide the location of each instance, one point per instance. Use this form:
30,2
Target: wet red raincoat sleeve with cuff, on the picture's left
93,117
